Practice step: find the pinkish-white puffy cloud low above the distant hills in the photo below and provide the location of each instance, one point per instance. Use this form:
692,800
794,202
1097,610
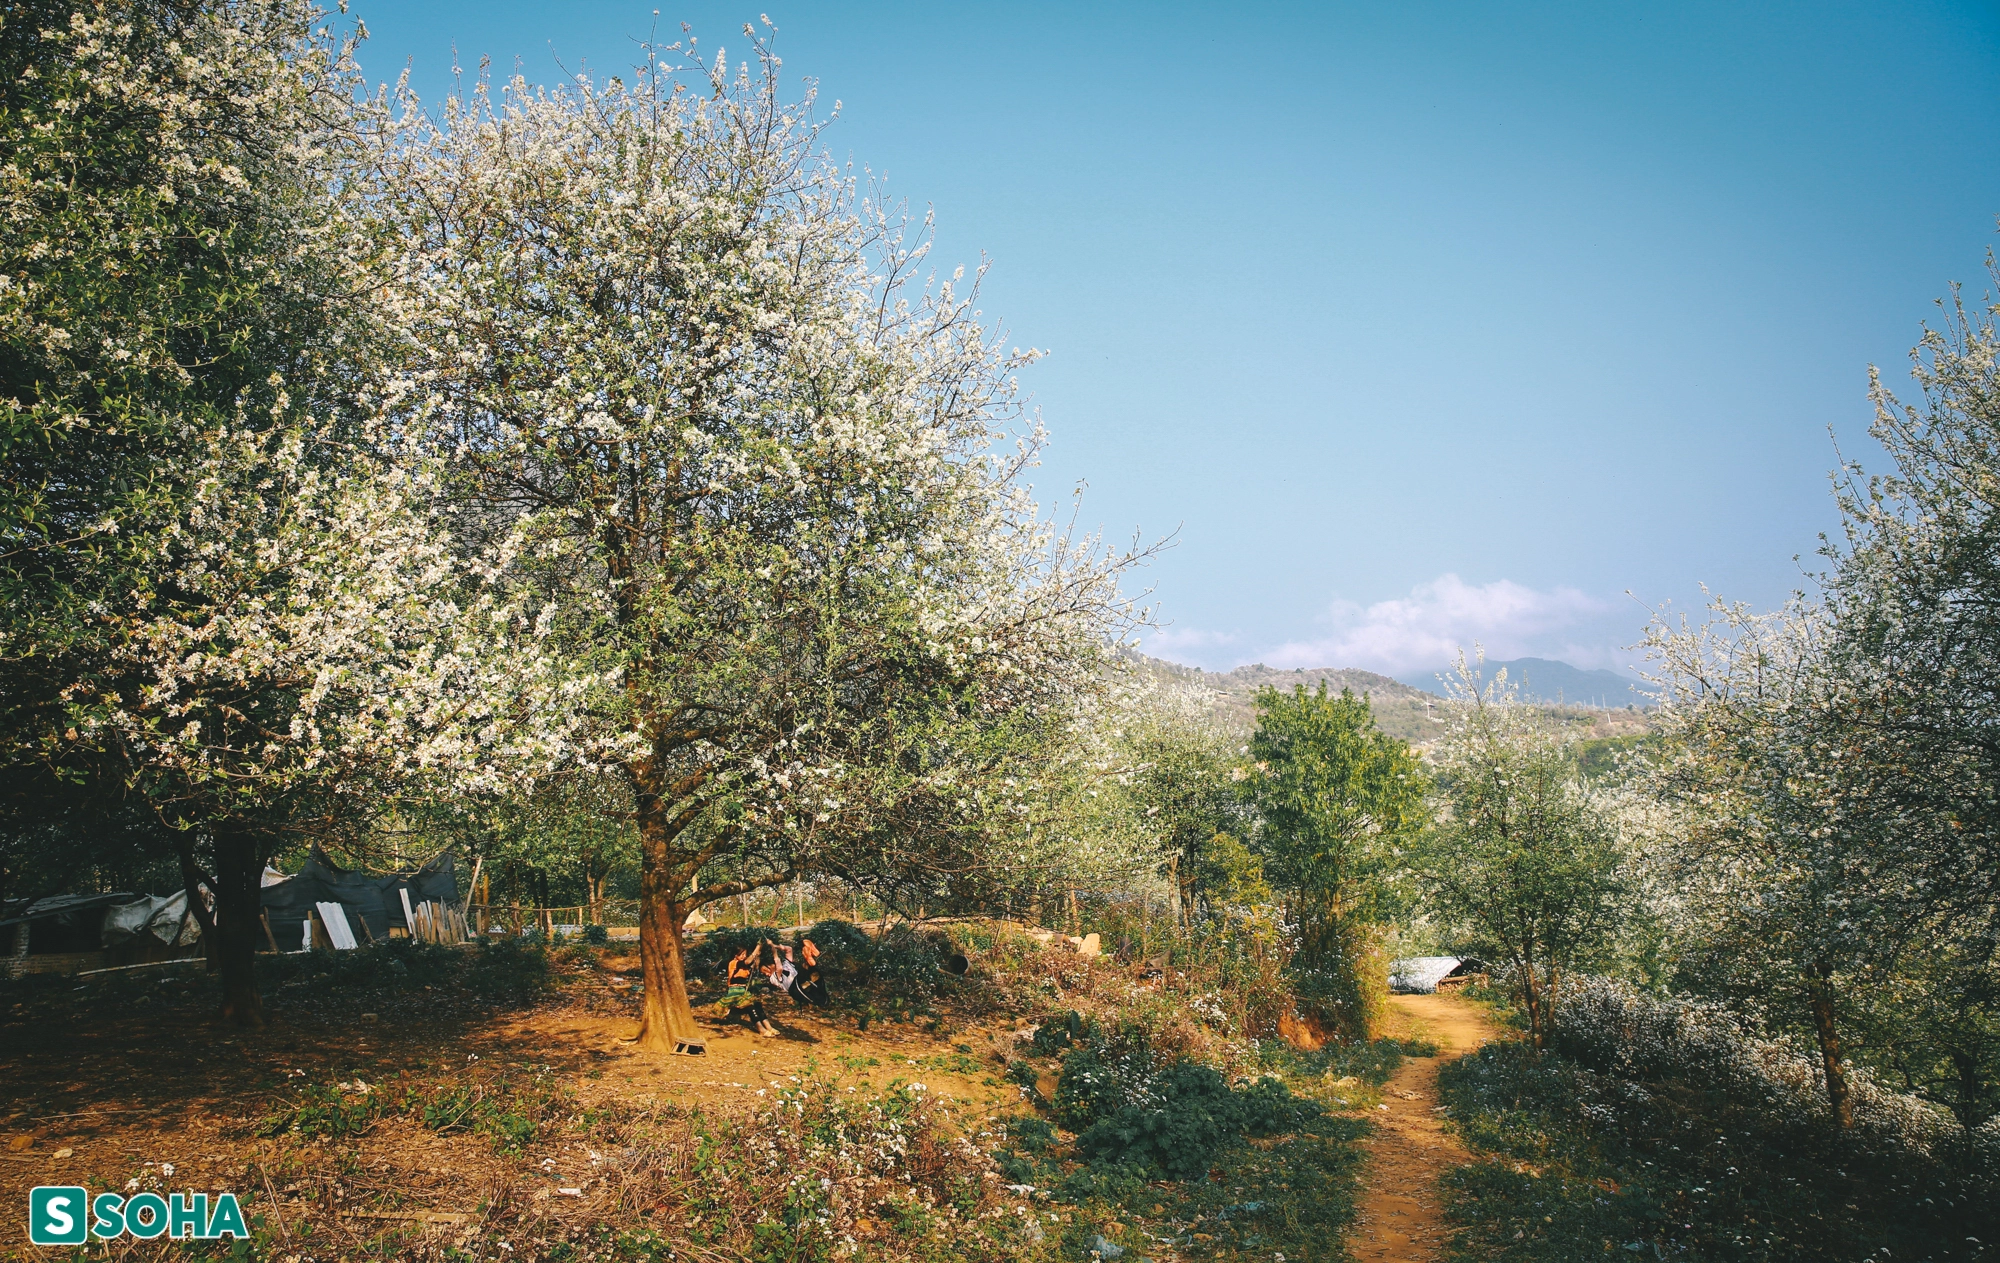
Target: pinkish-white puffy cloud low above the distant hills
1437,621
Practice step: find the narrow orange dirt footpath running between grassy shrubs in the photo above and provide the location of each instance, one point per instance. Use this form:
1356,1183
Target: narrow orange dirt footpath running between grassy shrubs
1401,1216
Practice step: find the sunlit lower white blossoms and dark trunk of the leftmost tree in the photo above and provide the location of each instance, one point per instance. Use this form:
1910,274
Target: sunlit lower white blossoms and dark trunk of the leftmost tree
299,648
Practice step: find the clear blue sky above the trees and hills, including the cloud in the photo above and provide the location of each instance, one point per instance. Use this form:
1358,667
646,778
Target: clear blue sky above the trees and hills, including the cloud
1421,323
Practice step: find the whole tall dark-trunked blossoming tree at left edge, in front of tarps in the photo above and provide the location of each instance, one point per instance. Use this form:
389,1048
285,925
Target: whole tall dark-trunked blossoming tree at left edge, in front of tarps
223,601
